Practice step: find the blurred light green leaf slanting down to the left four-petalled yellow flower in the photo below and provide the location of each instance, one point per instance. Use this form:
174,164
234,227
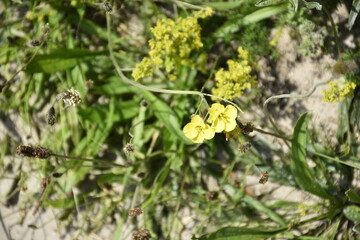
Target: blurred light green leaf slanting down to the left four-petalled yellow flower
166,115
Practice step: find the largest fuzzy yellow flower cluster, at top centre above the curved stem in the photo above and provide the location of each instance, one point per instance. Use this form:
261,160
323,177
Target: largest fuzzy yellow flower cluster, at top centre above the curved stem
172,44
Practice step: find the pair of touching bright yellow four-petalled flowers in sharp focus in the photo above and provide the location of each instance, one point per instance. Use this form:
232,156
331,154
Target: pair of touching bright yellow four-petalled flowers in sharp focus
221,118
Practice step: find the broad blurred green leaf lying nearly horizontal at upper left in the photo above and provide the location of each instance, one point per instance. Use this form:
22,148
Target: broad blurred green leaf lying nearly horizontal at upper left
60,59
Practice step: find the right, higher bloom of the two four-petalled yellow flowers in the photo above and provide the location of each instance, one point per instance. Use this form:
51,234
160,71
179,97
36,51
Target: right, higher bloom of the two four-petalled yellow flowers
222,118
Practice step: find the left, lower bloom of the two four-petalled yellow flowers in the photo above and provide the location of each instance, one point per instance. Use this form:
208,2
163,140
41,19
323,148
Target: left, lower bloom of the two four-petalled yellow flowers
197,130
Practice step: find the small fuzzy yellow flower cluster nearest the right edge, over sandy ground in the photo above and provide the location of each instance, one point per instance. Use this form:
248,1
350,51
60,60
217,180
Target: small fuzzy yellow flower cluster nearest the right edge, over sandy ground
338,90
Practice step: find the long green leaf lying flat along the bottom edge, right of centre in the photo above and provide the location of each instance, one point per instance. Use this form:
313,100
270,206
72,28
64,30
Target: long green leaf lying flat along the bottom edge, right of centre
241,233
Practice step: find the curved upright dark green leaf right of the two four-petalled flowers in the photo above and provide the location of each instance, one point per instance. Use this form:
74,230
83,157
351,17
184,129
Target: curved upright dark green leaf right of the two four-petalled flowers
299,166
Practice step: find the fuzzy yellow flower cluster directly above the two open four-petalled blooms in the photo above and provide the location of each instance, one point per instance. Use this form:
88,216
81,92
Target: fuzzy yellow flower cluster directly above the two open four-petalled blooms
232,83
